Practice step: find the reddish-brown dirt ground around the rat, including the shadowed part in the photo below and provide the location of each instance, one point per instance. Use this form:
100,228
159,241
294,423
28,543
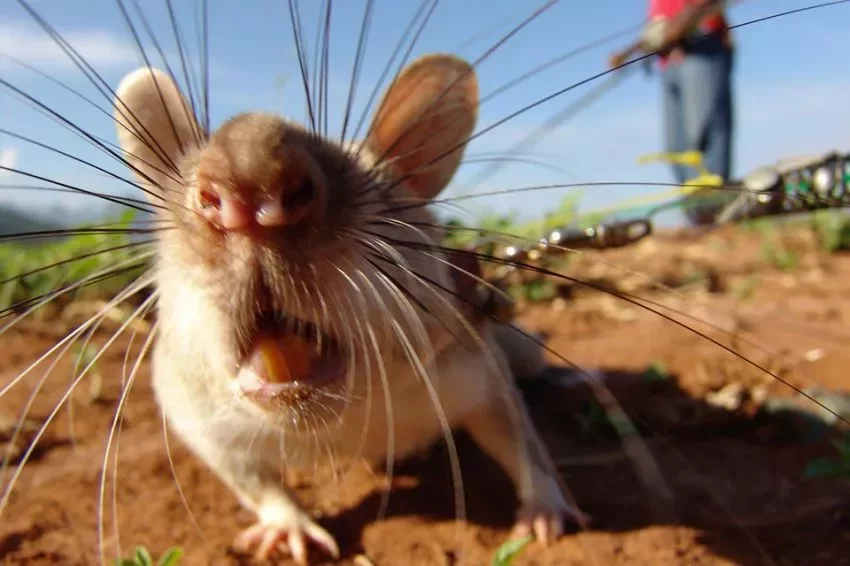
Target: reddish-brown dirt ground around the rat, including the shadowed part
741,496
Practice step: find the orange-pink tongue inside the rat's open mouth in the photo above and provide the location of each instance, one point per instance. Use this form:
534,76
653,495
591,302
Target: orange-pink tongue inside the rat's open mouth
279,358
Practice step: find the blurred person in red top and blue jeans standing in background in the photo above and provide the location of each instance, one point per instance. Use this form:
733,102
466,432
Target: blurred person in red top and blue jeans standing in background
694,49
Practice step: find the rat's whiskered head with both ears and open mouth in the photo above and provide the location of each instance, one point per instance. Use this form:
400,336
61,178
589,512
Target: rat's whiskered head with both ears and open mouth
288,264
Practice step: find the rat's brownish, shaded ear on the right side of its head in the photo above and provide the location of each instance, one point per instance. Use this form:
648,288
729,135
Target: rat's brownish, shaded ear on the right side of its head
430,109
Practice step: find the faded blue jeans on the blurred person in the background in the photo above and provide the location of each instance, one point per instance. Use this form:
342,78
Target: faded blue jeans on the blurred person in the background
698,112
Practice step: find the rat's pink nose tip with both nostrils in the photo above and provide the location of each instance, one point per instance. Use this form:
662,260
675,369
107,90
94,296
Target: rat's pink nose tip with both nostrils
233,211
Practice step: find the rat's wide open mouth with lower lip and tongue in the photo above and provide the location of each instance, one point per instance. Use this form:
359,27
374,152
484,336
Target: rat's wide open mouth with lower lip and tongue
287,357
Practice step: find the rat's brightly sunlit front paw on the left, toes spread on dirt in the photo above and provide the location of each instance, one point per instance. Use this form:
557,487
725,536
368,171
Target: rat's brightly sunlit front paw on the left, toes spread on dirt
282,530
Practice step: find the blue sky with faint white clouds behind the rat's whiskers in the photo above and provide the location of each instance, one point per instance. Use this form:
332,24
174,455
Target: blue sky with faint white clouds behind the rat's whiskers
791,95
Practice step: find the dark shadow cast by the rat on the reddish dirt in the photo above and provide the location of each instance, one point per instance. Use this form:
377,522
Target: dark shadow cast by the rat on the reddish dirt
735,476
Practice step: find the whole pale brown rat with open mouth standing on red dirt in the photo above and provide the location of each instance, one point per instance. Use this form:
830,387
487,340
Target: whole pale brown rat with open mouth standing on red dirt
292,323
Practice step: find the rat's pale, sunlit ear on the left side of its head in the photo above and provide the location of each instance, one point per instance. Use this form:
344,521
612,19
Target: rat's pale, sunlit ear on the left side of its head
155,124
